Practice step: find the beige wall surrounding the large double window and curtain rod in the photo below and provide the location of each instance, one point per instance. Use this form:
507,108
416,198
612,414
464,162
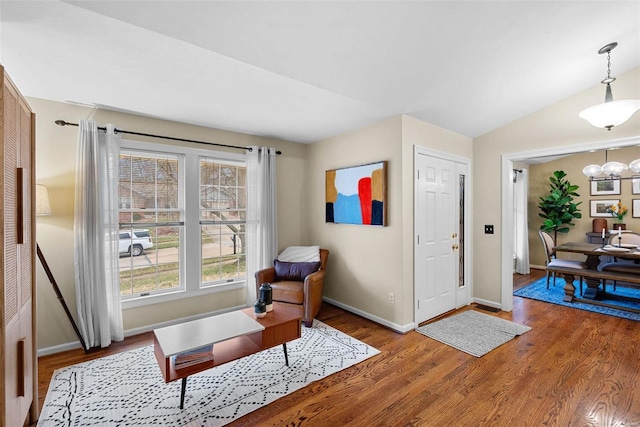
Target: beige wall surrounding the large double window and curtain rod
55,168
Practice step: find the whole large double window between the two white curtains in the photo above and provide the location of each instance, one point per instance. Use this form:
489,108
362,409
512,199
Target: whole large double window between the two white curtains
182,214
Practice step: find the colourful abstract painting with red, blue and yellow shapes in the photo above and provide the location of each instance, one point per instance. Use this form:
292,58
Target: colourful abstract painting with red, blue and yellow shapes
357,195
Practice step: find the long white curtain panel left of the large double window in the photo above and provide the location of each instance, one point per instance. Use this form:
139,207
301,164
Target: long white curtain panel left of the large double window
96,236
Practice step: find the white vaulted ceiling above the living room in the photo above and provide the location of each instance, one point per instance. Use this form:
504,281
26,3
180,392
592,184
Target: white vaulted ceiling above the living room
304,71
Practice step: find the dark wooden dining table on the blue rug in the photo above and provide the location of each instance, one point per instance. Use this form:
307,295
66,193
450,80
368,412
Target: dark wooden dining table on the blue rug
593,253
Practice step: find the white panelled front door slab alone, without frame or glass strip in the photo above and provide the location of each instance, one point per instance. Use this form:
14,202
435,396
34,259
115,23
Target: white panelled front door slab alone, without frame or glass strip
437,213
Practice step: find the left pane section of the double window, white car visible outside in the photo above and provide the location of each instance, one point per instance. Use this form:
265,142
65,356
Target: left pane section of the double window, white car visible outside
149,192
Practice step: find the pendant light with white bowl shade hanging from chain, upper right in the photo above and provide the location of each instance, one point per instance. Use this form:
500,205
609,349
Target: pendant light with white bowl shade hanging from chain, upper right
611,113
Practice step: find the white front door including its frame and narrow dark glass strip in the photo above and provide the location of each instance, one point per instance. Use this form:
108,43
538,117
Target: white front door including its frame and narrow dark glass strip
442,229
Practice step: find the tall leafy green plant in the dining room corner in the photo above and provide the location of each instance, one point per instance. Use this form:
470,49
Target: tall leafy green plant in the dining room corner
557,208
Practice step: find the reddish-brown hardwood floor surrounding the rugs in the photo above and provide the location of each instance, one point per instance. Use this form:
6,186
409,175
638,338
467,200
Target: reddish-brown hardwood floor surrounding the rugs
574,368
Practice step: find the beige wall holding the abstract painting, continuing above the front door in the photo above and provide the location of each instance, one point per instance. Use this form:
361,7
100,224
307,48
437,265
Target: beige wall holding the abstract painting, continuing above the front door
367,263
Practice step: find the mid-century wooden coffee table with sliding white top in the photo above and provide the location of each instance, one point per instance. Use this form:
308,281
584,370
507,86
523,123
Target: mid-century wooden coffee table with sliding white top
235,335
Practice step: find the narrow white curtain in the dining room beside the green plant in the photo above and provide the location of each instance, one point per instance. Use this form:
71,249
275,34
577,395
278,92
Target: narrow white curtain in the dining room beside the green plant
521,225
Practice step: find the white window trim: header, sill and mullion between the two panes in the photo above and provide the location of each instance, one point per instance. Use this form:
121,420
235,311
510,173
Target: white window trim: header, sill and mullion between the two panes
190,253
